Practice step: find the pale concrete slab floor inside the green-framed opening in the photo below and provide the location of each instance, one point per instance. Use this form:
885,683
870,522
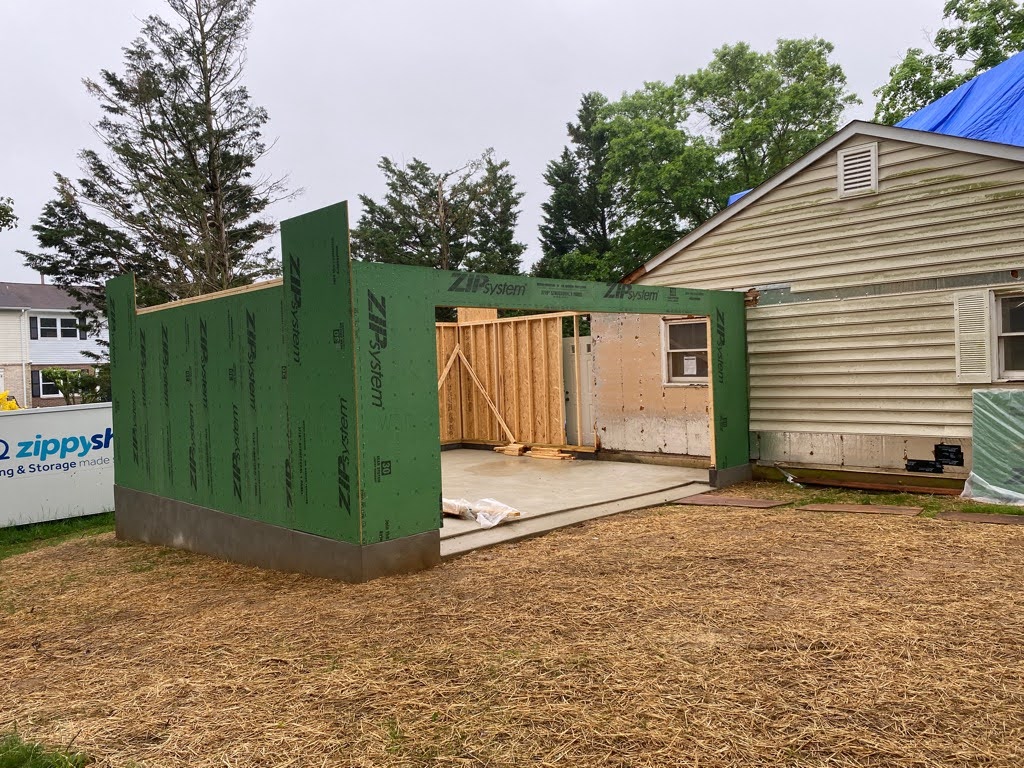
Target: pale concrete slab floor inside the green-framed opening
551,494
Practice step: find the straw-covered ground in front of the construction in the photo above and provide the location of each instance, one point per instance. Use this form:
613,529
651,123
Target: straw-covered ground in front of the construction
668,637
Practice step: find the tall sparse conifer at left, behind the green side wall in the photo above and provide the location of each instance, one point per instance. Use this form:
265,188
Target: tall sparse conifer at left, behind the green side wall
172,195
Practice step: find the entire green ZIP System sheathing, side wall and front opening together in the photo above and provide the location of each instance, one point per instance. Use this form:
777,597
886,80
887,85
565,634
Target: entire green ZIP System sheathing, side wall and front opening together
312,405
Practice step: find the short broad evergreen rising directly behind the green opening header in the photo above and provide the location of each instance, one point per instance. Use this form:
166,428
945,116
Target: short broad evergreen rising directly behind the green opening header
458,220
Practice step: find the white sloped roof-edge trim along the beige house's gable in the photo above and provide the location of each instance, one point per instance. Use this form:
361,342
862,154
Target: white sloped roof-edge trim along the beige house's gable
857,129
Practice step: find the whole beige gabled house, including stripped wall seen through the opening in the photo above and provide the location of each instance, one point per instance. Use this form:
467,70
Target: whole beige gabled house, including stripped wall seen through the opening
885,281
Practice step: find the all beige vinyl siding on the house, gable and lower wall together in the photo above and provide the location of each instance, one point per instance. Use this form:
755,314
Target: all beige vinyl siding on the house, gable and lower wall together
859,367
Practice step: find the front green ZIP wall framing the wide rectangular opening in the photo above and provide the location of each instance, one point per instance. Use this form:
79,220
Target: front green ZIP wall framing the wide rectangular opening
395,336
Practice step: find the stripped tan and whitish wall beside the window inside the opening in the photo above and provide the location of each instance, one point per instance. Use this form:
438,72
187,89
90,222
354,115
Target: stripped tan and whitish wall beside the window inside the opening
634,410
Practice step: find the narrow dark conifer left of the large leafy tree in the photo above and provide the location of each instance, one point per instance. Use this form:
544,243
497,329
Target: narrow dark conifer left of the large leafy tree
576,234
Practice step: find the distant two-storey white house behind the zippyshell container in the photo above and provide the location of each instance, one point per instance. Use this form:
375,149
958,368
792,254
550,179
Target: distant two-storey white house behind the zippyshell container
39,330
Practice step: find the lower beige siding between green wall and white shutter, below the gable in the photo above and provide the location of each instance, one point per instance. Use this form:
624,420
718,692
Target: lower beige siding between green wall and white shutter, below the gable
876,366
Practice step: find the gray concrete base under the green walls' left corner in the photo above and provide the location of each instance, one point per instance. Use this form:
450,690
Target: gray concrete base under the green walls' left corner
155,520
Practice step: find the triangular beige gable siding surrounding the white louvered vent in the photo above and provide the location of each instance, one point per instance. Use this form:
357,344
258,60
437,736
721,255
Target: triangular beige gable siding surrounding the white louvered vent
937,214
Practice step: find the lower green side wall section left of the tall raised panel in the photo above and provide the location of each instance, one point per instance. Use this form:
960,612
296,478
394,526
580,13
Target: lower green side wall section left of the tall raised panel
198,399
